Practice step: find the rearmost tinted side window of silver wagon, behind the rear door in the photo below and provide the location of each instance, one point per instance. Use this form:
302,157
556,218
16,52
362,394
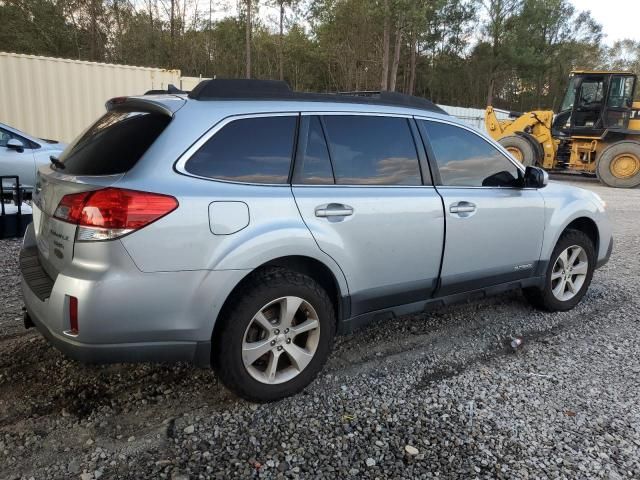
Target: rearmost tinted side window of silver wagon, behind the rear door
251,150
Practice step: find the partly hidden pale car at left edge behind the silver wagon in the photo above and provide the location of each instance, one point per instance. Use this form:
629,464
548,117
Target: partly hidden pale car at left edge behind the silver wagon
22,154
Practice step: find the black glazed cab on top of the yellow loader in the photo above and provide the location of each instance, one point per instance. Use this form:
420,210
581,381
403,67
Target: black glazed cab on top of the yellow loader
595,102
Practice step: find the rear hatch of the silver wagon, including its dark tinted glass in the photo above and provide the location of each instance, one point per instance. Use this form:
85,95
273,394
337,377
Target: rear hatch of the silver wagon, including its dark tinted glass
97,159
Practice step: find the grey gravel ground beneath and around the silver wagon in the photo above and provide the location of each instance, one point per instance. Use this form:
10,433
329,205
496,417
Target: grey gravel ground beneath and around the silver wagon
439,395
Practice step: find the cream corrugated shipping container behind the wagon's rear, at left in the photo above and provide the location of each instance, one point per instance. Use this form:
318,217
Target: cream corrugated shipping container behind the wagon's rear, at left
58,98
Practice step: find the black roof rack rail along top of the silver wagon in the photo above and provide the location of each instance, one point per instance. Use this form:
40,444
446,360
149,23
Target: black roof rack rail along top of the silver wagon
250,89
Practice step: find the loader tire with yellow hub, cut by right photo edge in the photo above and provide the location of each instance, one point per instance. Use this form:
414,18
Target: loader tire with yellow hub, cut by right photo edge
619,164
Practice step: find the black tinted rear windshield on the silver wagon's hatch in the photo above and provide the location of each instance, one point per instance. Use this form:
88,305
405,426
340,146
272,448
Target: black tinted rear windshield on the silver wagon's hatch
113,144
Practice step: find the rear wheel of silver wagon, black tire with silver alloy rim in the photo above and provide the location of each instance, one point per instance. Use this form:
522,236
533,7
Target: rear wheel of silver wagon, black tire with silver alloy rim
275,336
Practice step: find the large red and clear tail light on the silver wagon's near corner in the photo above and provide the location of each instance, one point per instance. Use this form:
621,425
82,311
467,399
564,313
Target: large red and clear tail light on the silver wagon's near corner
112,212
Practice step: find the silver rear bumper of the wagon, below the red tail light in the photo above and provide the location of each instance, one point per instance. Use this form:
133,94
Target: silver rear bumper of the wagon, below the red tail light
124,315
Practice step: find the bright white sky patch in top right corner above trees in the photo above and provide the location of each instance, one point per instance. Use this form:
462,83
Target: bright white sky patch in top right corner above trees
619,18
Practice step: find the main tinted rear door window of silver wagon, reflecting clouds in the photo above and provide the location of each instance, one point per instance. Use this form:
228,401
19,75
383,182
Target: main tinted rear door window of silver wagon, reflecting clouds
372,150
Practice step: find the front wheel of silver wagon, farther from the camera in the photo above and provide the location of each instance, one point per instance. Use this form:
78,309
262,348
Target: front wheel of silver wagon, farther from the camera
568,275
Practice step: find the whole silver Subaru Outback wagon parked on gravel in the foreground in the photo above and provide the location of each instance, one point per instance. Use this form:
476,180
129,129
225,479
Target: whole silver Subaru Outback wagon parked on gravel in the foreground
244,225
